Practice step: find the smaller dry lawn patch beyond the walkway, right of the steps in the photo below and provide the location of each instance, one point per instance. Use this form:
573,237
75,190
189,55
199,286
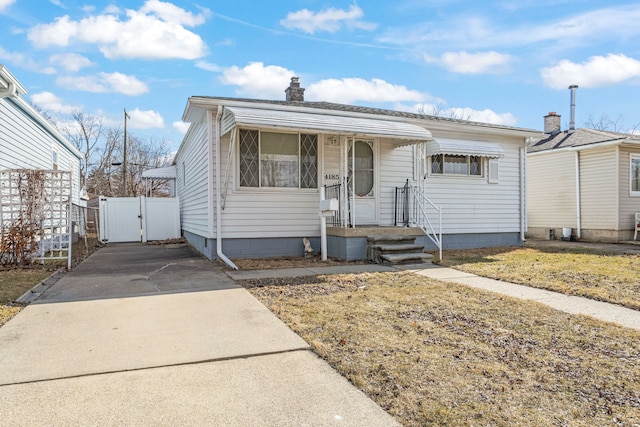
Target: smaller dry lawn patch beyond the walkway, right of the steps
597,274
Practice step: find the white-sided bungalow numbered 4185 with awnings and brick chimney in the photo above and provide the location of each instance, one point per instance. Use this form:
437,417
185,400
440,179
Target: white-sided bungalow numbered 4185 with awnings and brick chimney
250,174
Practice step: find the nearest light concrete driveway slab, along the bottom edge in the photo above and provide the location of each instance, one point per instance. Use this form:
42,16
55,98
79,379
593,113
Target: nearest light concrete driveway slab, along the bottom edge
291,389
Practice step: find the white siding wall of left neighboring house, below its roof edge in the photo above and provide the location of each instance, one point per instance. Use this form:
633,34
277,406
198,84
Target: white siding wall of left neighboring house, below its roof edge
25,143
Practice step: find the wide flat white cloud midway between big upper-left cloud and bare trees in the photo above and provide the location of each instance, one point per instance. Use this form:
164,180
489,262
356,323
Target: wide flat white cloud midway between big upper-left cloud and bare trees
105,83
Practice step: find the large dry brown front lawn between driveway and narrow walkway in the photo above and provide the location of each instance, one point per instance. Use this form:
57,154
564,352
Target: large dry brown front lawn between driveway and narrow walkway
435,353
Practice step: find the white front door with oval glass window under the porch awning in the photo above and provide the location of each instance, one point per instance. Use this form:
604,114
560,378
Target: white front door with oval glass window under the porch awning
363,181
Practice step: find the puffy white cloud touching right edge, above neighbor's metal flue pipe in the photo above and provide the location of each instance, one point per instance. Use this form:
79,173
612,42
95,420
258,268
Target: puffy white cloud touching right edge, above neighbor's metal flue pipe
598,71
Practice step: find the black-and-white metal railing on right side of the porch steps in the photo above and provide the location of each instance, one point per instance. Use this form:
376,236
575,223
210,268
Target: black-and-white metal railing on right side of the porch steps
413,208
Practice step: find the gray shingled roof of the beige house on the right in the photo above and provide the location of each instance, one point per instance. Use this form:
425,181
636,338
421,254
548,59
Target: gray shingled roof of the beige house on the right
579,138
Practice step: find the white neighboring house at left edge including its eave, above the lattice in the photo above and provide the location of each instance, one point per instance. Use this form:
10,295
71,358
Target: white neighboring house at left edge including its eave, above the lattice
28,140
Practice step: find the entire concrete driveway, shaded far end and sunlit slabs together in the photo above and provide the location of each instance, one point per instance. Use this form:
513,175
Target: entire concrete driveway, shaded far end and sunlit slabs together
156,335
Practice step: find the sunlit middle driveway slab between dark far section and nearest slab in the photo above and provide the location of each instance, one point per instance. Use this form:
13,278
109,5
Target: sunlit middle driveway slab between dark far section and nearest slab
47,341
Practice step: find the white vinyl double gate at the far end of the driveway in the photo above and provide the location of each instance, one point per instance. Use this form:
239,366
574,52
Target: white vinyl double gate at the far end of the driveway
139,219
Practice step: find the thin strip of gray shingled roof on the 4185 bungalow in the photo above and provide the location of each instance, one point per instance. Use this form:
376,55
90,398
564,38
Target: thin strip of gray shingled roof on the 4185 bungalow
367,110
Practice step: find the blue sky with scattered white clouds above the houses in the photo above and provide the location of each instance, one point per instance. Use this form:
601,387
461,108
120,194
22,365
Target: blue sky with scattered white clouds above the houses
500,61
